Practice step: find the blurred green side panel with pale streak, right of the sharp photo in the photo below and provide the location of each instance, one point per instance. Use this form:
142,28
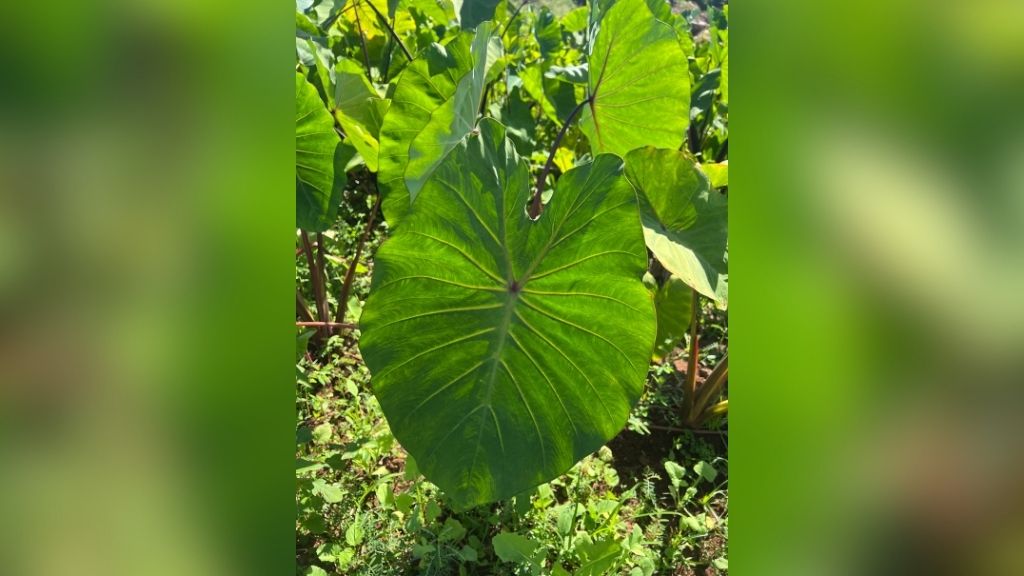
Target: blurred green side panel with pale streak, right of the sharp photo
878,276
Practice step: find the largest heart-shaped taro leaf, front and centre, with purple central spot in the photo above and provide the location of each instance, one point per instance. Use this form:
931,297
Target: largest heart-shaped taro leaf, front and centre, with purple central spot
504,350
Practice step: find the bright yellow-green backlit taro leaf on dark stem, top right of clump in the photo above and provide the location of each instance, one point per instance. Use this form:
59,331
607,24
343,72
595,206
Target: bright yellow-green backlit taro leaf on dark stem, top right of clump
638,83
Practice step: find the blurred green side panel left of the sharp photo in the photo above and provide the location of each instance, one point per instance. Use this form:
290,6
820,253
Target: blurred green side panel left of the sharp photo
147,345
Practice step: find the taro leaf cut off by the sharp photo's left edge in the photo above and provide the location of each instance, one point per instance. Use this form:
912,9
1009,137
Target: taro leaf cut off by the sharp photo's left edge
318,184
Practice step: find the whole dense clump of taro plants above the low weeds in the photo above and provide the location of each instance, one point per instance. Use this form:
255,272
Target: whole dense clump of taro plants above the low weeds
532,171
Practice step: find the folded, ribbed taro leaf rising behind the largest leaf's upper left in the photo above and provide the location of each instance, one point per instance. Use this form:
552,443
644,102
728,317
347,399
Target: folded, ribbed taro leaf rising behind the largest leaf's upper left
436,105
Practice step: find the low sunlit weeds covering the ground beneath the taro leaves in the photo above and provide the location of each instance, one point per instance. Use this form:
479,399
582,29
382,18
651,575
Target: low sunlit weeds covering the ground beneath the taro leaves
655,501
